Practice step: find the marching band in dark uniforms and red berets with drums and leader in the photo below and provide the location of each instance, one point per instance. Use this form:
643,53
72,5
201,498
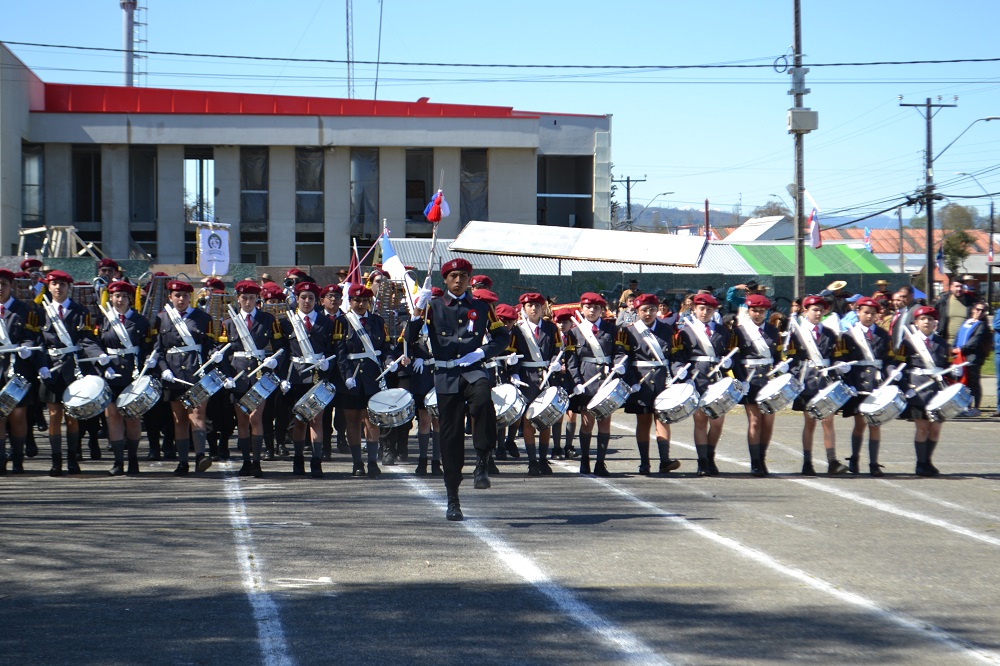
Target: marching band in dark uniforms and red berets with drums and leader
299,360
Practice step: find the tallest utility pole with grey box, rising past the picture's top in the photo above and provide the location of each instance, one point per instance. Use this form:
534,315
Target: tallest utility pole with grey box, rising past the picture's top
801,121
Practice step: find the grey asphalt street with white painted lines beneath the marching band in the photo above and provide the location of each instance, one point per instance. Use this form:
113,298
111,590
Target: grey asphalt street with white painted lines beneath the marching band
214,569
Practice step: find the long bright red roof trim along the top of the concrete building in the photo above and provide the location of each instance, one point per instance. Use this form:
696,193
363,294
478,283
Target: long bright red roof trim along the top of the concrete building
70,98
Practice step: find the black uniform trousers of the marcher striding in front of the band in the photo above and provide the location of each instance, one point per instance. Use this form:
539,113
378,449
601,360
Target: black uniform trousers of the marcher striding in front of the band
452,420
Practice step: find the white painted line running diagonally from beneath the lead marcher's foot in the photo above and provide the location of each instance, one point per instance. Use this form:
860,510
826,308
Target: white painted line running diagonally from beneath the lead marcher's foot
632,649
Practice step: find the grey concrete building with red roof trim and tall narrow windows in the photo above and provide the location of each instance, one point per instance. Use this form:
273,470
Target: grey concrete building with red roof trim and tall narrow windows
296,178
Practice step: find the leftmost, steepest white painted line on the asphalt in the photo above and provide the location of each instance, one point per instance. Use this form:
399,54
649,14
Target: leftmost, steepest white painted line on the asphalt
270,633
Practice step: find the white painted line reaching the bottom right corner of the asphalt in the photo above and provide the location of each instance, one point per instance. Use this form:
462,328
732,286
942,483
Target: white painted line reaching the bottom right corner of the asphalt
912,624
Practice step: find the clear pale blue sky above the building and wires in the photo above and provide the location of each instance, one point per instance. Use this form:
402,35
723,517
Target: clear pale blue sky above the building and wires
714,133
